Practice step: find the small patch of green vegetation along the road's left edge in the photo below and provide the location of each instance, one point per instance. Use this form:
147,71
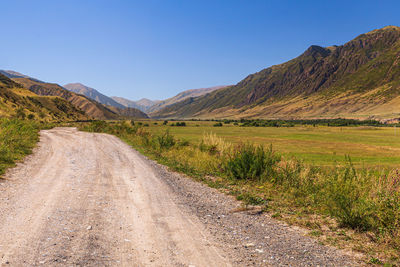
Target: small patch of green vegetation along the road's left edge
17,139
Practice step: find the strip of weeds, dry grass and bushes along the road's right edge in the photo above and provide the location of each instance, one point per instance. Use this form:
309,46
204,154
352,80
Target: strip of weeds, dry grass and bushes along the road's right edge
347,206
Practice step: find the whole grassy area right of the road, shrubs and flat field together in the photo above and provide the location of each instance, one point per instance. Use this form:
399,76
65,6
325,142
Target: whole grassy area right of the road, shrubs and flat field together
297,174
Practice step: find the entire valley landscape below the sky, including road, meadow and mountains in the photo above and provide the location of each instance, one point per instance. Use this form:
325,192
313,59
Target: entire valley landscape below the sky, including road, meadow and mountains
296,164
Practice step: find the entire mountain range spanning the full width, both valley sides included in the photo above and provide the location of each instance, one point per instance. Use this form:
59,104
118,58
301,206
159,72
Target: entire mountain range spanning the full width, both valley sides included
360,79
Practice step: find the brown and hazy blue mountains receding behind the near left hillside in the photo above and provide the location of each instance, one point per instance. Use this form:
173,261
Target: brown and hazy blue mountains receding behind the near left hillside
91,103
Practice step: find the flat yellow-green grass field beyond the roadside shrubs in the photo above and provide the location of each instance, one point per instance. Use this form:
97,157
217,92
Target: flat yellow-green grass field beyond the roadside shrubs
320,145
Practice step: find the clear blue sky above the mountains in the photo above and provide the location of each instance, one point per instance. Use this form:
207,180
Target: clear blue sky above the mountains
156,49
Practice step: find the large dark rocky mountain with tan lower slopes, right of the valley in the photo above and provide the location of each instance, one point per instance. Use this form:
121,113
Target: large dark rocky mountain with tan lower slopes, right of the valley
360,79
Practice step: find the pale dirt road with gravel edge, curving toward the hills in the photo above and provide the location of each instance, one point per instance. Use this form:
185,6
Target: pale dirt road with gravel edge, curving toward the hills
86,199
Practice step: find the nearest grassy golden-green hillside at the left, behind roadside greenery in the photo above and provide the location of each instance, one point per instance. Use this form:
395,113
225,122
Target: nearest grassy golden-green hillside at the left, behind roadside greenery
16,101
